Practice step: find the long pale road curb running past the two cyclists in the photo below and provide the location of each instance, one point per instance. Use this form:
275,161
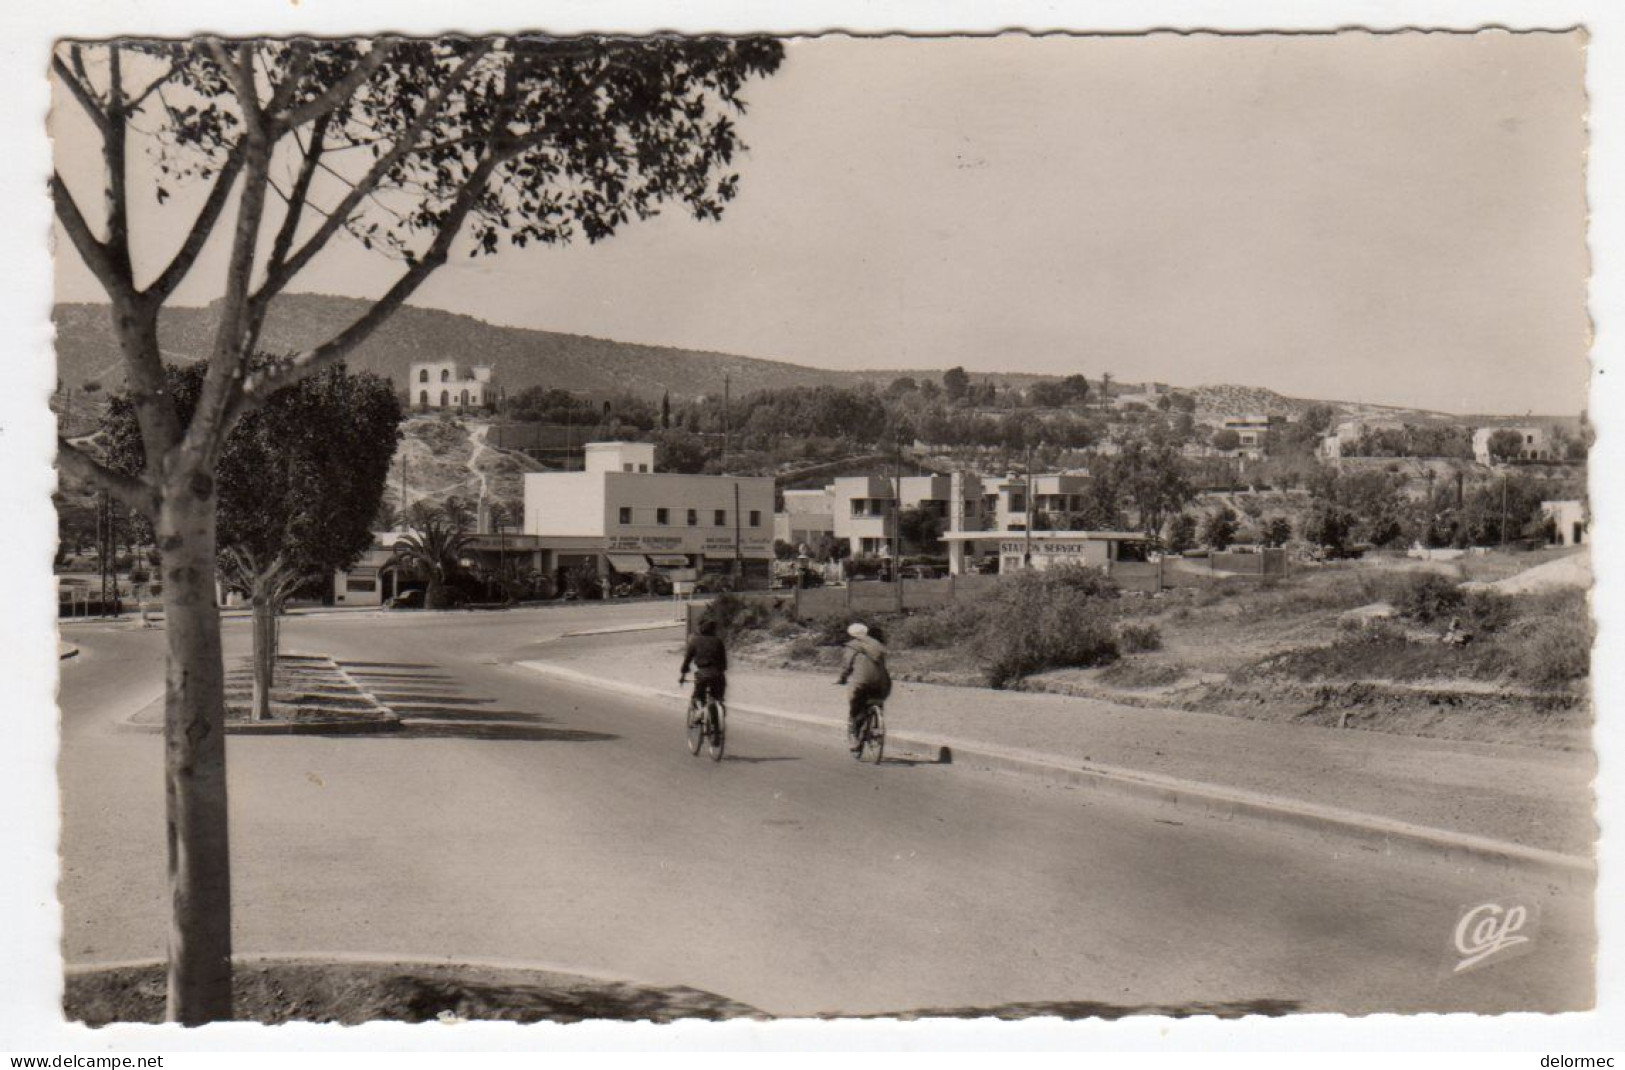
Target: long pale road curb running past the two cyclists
1215,801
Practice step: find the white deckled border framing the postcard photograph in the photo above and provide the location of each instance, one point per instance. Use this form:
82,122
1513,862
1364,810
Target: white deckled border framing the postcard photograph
30,921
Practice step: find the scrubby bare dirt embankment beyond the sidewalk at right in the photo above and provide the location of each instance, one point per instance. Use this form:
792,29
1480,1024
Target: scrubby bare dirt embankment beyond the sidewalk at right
1301,651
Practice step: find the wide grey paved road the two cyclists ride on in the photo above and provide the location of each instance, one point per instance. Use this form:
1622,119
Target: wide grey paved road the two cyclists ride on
571,829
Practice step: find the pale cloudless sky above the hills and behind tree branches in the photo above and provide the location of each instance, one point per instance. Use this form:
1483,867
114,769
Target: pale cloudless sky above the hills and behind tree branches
1390,219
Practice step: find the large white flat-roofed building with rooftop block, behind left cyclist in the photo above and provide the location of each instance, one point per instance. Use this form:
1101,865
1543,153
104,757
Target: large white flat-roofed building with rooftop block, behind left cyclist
622,516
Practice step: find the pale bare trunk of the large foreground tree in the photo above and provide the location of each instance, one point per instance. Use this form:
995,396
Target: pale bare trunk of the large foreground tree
196,760
